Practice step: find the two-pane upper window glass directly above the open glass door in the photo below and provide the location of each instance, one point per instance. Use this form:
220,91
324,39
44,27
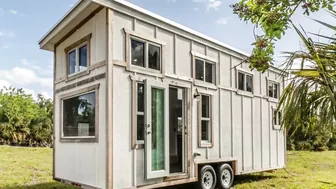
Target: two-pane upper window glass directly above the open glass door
145,54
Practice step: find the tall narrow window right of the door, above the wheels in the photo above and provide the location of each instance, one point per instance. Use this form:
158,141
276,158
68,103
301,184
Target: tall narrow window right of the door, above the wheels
205,127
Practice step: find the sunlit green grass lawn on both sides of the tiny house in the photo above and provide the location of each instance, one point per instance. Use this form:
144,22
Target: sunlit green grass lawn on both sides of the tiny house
31,168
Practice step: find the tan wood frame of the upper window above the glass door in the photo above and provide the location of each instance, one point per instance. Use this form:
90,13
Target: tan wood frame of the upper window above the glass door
132,35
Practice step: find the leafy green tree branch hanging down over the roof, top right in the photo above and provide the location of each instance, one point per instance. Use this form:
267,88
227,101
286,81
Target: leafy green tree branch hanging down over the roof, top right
274,18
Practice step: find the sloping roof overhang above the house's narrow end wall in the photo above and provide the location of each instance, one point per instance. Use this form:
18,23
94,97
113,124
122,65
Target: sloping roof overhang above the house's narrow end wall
68,23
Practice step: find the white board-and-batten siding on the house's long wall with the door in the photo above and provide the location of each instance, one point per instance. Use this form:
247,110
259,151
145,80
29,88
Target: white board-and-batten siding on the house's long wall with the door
242,123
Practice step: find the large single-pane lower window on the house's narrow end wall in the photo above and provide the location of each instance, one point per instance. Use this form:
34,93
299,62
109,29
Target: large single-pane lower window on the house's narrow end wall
79,116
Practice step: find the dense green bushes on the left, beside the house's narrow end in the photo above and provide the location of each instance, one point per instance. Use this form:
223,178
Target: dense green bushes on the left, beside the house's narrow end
23,120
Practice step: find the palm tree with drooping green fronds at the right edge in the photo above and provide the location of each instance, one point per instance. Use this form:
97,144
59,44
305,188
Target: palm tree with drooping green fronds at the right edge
309,100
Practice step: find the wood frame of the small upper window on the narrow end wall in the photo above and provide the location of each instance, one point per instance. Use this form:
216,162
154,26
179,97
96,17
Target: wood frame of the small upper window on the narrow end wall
76,46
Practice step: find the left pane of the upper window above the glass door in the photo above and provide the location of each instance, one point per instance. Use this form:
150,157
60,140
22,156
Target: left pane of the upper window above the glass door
138,53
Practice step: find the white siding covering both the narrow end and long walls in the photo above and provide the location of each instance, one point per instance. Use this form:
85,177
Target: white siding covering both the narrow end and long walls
242,123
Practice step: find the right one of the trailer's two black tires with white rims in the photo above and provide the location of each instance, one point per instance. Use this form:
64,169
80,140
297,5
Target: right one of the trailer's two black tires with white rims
225,176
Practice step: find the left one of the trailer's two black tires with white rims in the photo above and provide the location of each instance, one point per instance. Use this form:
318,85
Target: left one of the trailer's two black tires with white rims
207,178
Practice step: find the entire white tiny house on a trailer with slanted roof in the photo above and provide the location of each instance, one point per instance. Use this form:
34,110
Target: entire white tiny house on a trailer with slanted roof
143,102
